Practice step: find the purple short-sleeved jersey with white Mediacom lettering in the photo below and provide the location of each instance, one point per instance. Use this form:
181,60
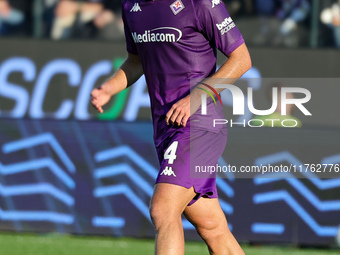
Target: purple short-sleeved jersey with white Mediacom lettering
176,42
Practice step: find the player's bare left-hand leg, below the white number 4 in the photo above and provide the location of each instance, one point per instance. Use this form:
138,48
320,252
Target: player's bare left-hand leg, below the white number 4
166,208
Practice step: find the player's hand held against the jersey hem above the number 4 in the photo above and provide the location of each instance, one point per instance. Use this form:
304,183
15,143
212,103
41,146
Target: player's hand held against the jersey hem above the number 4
179,113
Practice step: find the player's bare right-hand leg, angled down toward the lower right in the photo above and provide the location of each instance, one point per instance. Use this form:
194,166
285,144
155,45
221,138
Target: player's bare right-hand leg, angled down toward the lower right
210,222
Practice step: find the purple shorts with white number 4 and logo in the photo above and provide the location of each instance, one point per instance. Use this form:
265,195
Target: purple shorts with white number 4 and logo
180,153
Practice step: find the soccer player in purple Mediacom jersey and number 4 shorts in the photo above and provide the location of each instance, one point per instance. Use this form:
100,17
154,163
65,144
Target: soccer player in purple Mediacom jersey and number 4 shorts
173,42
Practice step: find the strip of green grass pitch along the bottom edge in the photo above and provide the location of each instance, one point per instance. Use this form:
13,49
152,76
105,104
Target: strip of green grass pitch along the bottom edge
32,244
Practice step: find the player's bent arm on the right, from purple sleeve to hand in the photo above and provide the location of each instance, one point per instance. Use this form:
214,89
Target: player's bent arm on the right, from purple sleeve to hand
213,22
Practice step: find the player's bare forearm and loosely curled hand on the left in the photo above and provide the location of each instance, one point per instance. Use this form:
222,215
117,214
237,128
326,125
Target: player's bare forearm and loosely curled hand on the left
130,71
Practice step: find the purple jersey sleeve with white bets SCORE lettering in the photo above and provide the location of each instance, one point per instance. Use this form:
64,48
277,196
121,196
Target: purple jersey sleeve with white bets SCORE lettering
215,23
